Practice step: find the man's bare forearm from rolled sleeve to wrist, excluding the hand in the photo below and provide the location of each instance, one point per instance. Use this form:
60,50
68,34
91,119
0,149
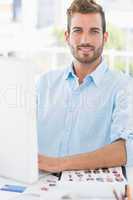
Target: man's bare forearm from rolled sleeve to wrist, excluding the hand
109,156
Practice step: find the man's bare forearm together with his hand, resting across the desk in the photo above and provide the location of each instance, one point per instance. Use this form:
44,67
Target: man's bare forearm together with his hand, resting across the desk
109,156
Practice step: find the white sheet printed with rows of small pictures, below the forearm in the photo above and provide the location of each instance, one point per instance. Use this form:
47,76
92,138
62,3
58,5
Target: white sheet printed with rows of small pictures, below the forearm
97,183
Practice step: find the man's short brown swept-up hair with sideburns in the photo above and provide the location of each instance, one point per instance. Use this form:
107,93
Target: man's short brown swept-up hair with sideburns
85,7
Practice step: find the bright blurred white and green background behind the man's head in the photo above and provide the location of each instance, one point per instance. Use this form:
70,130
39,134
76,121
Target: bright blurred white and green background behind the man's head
34,30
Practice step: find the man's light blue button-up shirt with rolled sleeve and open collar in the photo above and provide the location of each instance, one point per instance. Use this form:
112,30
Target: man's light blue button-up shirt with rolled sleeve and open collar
73,118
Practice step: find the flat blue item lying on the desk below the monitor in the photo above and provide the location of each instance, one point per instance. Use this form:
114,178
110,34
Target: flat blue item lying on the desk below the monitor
13,188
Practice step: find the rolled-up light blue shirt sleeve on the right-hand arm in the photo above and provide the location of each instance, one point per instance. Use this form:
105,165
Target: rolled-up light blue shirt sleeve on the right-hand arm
122,119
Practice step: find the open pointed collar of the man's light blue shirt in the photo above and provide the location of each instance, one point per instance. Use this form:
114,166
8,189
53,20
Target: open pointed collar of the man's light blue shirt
96,75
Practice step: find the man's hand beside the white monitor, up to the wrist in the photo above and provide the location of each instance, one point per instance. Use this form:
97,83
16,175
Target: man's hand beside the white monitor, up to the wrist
50,164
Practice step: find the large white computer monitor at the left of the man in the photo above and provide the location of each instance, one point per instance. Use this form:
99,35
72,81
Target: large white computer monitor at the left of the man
18,138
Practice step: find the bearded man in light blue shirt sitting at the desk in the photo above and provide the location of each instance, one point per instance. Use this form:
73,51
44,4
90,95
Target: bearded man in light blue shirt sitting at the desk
84,112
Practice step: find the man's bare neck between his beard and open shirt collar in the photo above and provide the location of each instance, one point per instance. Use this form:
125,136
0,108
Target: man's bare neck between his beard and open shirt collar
84,69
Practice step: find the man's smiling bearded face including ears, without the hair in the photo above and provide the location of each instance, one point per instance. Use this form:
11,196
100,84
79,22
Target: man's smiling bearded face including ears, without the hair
86,38
